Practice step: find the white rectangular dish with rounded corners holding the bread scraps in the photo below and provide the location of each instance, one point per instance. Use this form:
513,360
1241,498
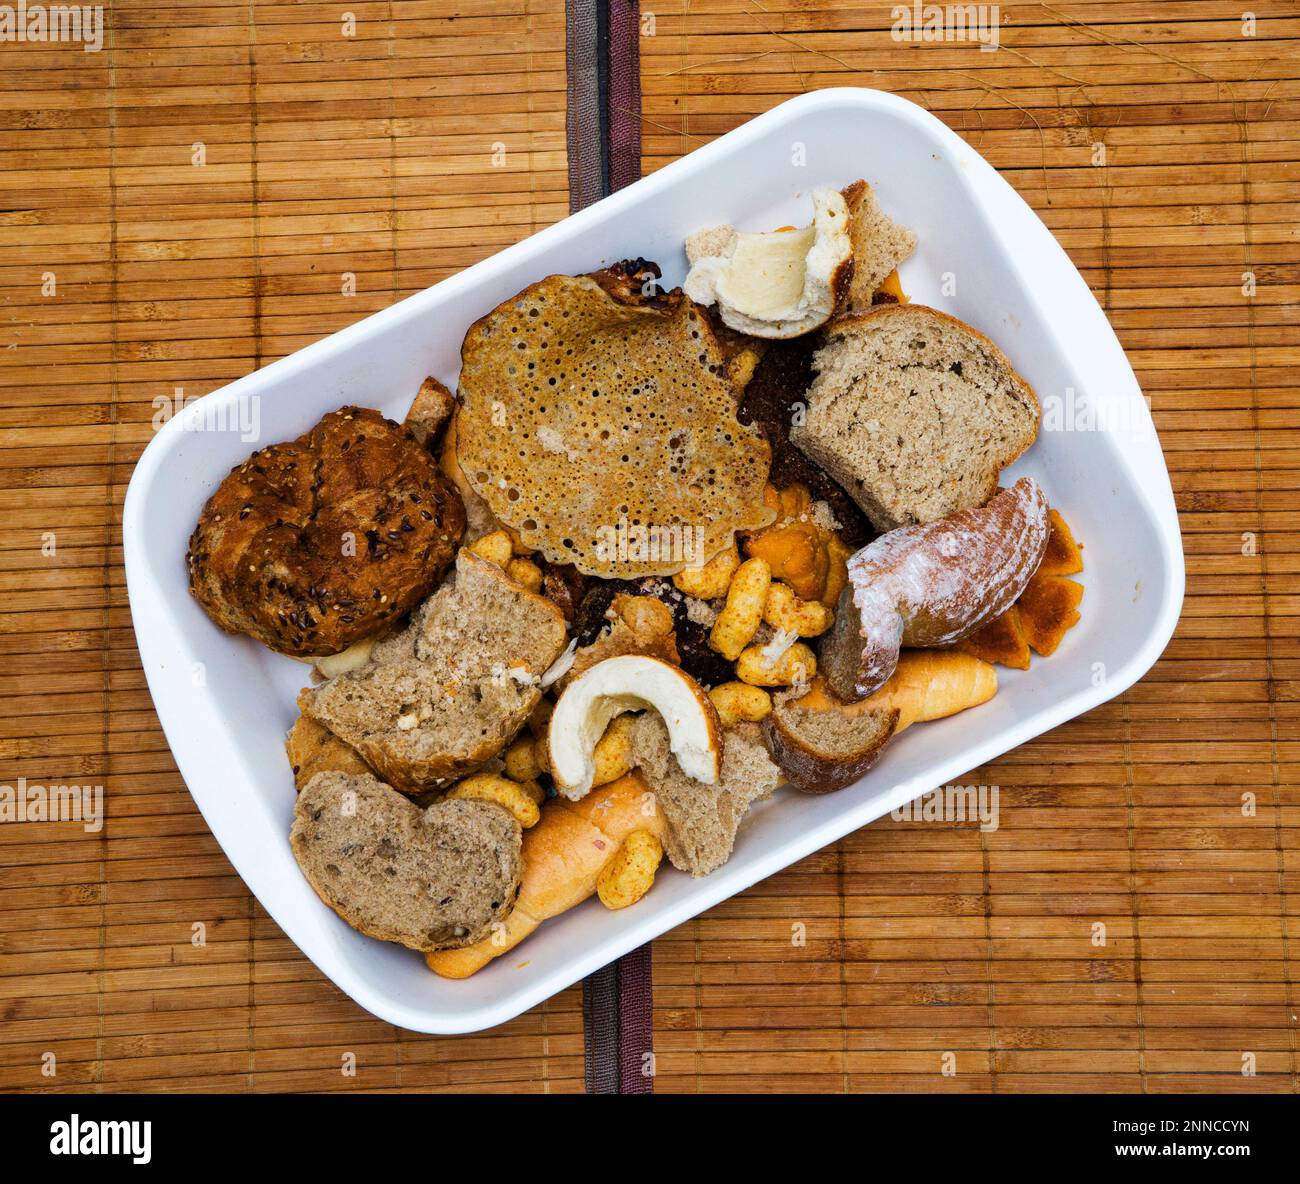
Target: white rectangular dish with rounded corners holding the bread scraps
983,255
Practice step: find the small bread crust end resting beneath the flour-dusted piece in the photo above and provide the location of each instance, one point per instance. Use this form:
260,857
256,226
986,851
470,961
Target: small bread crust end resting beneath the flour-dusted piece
825,751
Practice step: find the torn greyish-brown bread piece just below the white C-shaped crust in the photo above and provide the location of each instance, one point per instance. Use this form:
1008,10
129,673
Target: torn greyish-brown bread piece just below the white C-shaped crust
701,821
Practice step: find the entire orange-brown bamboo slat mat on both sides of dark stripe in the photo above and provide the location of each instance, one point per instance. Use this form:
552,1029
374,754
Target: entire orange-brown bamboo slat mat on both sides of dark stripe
189,203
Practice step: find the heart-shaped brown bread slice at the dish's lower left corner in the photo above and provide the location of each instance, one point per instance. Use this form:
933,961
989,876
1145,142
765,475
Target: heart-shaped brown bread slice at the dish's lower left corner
434,879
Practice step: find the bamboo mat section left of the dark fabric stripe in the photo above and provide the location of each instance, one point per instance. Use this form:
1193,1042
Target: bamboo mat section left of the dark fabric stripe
207,192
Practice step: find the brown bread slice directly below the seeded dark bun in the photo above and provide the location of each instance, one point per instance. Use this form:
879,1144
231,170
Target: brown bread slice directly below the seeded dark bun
449,693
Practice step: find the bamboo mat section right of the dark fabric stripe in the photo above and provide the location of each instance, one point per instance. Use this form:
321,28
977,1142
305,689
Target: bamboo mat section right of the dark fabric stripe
926,940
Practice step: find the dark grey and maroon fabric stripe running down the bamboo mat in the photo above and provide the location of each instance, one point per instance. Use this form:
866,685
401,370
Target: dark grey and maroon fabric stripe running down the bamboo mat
604,155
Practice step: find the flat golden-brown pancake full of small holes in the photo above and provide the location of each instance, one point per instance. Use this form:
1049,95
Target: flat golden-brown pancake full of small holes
603,428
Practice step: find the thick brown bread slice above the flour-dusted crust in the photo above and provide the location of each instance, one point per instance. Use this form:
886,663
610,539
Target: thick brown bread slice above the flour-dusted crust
915,414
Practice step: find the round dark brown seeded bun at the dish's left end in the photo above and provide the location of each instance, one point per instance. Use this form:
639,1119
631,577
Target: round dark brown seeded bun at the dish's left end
313,545
